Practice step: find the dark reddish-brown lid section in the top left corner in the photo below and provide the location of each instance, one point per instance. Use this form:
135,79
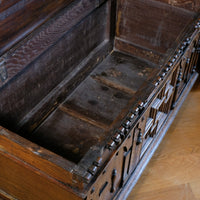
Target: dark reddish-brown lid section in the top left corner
23,16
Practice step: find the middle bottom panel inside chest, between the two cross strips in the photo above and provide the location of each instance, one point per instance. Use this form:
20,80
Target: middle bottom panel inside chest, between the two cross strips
98,101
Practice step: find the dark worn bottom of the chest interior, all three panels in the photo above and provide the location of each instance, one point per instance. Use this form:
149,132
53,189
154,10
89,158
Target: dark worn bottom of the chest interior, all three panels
92,111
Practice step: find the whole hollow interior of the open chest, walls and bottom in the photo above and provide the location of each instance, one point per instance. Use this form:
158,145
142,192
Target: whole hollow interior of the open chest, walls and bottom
77,92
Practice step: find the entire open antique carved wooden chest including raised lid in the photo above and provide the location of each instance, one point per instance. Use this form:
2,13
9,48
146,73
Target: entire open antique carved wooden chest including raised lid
88,90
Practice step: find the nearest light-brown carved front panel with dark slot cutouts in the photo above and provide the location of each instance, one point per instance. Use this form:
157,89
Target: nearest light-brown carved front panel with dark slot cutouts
120,167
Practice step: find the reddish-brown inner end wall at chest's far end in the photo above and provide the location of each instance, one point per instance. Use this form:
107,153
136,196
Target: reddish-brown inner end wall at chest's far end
155,32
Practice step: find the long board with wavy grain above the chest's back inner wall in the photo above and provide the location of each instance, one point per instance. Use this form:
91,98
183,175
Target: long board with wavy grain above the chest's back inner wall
42,39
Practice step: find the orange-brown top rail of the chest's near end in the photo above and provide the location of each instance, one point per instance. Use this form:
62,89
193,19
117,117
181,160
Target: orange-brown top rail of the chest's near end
46,162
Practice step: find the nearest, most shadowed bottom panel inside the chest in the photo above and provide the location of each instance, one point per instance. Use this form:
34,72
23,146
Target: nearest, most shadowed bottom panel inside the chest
68,134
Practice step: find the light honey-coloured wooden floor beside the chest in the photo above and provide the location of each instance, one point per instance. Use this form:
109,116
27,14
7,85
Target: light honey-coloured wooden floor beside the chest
174,171
